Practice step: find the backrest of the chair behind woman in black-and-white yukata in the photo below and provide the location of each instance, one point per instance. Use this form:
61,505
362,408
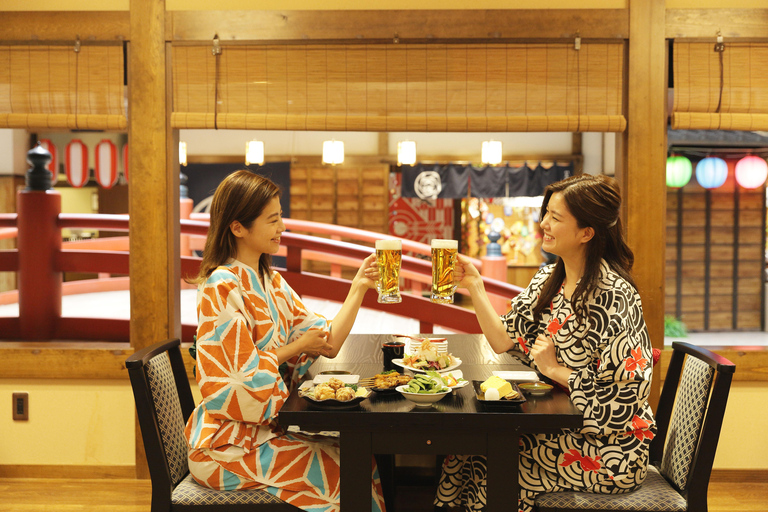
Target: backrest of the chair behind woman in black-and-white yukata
689,418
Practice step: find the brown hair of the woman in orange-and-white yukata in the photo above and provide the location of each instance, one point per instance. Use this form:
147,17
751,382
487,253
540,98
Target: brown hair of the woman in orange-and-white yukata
241,196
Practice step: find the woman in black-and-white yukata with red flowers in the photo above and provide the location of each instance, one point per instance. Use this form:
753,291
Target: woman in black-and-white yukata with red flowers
579,323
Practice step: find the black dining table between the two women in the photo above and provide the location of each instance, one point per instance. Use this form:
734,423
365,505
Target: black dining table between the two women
387,423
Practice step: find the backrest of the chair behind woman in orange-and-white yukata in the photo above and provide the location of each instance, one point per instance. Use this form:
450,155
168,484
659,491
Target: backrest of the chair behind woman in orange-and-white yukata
163,402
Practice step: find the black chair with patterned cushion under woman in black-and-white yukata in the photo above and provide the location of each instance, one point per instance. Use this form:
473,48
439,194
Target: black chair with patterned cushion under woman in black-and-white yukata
688,418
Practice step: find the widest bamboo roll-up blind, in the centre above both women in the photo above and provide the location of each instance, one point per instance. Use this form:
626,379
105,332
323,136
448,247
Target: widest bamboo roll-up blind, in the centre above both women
401,87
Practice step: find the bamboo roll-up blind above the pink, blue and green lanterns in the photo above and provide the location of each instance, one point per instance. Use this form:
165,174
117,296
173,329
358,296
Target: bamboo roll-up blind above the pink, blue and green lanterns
714,96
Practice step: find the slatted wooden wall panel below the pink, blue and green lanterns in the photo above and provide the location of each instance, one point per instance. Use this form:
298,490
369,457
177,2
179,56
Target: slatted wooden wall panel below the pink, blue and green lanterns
717,283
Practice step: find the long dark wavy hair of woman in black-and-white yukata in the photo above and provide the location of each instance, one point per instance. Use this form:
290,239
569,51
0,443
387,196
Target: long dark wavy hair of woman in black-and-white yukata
594,201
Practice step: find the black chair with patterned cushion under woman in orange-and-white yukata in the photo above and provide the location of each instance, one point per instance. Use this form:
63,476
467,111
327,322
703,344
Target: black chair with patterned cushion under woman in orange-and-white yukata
163,403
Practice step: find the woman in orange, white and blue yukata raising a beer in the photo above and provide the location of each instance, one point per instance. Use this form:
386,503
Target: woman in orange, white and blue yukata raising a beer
255,340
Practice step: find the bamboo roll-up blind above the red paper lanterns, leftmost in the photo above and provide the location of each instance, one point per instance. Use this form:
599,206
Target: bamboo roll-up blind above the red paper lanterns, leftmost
44,87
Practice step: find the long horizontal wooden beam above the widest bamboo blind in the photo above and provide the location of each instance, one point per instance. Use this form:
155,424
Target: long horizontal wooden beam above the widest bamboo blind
407,26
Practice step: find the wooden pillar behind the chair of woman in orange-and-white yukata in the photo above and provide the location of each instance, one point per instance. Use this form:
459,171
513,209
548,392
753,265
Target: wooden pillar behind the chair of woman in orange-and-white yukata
153,187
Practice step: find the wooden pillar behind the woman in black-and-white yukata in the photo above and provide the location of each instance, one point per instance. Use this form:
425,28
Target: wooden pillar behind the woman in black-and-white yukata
643,149
